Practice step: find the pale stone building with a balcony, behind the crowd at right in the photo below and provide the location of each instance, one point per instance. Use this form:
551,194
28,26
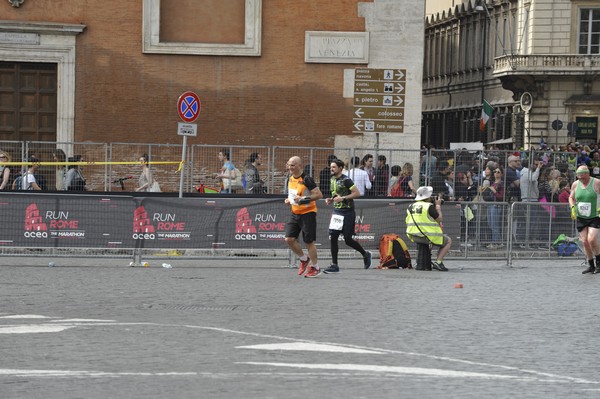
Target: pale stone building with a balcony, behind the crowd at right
543,53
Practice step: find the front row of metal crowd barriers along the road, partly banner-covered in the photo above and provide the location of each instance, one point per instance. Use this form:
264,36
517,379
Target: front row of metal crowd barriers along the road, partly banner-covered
227,226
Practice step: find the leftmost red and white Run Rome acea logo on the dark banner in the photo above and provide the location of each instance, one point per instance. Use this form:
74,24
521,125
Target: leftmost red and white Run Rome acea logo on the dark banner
50,224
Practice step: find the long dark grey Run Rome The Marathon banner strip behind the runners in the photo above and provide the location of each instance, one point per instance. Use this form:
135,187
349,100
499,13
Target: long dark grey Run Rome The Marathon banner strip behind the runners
219,222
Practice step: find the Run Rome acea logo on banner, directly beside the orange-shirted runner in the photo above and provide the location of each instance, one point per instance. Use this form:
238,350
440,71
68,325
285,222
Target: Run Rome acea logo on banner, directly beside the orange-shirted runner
260,226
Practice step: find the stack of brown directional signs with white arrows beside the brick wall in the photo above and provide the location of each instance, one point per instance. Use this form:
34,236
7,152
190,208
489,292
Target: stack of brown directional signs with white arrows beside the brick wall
379,97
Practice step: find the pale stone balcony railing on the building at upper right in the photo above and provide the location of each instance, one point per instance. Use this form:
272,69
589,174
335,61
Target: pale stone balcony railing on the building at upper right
546,64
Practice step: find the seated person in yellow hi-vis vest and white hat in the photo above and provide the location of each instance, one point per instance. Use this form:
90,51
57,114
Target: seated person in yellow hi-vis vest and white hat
424,224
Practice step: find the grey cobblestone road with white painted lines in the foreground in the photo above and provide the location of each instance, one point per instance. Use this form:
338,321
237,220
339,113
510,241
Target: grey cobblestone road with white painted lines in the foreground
96,328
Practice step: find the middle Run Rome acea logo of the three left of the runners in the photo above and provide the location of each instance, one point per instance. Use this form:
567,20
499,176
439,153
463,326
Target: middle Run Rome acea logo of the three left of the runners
159,226
